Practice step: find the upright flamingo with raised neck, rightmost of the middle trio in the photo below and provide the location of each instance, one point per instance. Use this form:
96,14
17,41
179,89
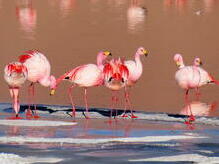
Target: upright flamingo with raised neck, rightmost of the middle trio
135,71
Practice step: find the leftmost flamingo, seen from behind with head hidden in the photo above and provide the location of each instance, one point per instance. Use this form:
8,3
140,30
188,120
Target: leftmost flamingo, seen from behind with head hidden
15,74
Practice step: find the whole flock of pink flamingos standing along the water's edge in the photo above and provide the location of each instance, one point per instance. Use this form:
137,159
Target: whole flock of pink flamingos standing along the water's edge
114,73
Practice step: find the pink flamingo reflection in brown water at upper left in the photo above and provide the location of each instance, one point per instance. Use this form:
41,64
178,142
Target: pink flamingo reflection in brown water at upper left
27,17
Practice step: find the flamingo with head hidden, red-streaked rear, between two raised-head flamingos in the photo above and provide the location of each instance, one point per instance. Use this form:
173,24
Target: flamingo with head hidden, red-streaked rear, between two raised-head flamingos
115,77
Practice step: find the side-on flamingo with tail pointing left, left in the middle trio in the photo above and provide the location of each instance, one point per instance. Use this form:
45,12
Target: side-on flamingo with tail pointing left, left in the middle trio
85,76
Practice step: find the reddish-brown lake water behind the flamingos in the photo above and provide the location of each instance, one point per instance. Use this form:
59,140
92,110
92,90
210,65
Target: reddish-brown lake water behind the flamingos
71,32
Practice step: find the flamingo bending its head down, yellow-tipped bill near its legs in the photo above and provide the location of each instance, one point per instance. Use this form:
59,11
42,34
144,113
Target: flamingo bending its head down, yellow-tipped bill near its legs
38,68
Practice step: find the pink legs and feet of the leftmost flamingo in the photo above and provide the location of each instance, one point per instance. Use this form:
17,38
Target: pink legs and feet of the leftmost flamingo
14,92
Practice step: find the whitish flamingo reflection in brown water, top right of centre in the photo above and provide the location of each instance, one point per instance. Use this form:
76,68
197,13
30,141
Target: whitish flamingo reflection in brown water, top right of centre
136,16
